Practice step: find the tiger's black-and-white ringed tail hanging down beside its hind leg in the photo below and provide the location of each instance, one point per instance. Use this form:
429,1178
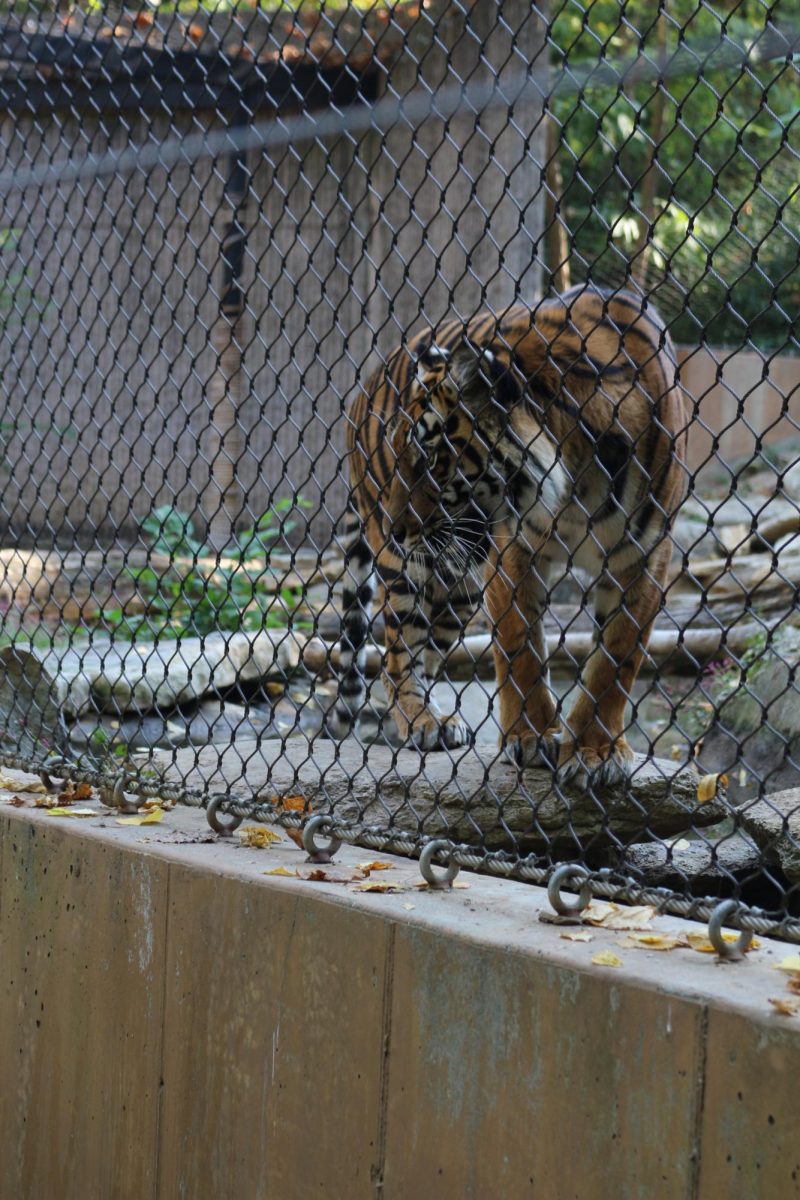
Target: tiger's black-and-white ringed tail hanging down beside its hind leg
358,593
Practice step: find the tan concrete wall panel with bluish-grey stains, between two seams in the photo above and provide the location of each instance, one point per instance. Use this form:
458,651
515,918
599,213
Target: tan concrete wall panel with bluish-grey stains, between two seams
468,1033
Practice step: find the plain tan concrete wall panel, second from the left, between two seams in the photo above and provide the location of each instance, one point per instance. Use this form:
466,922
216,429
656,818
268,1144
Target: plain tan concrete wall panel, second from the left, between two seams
269,1012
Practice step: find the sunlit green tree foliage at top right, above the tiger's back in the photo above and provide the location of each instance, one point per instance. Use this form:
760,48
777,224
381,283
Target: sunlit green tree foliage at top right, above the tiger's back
707,164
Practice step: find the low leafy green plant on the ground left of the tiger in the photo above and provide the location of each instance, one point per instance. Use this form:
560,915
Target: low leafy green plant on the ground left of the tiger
231,592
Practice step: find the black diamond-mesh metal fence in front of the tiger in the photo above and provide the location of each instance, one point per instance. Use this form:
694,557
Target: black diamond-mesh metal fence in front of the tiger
400,428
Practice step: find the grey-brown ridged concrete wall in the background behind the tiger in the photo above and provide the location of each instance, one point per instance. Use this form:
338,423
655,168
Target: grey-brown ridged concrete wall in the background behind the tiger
106,365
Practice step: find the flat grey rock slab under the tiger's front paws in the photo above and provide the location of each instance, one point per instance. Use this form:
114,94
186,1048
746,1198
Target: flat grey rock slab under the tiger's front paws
470,796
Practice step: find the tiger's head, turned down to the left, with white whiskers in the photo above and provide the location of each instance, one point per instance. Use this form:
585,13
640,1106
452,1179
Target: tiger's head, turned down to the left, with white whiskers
470,457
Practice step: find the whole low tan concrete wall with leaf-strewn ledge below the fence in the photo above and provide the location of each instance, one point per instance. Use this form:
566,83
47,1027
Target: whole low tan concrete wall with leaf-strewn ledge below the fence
176,1023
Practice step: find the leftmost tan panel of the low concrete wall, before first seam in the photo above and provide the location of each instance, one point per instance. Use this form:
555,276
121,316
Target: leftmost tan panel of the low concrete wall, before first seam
82,970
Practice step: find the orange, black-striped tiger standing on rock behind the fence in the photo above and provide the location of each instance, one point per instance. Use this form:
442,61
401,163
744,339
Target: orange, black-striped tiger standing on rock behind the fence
507,446
